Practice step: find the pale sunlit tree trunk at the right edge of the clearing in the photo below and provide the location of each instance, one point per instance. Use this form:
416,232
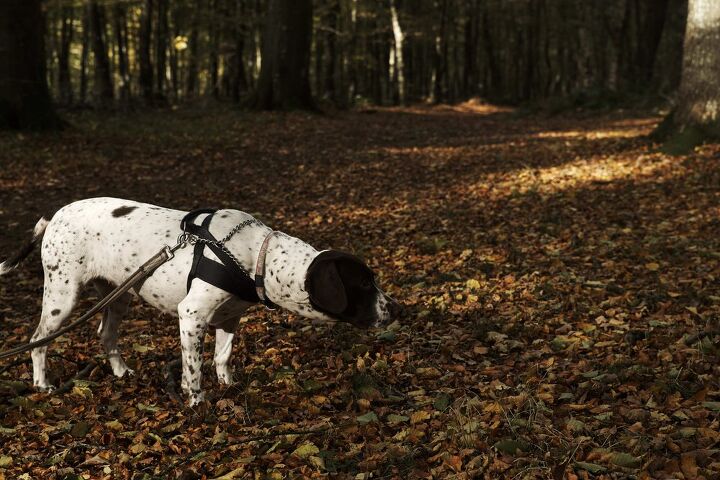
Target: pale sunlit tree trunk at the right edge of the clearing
699,95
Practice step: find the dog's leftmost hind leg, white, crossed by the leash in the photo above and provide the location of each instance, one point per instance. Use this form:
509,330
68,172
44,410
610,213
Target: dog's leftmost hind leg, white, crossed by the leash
58,302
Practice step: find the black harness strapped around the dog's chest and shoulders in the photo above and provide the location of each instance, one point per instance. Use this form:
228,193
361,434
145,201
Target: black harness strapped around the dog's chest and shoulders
228,275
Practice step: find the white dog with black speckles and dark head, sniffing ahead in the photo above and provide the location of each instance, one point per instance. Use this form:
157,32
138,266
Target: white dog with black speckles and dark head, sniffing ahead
101,241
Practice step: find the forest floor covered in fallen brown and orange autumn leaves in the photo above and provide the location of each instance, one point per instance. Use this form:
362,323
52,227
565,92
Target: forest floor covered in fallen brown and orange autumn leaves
562,279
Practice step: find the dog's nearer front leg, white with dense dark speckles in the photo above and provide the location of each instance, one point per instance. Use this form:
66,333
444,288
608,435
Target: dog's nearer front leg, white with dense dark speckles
193,323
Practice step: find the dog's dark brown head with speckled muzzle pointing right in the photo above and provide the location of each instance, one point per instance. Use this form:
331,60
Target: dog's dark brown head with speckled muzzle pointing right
342,287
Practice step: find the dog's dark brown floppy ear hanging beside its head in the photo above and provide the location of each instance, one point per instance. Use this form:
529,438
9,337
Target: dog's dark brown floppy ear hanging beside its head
324,284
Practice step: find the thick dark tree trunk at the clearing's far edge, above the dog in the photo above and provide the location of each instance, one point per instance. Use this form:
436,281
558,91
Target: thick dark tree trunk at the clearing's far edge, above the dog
284,75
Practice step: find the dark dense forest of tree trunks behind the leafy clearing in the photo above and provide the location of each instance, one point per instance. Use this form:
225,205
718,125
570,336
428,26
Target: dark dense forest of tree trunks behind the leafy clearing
389,52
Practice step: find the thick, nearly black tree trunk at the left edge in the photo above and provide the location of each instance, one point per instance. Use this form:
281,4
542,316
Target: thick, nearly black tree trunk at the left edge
24,97
